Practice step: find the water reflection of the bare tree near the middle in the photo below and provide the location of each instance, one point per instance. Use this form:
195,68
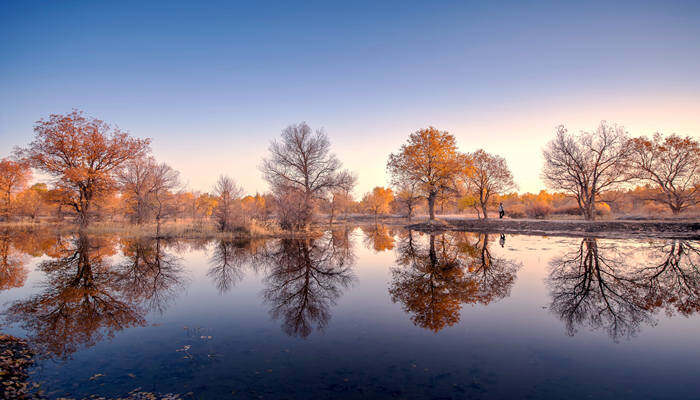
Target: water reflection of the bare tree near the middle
304,279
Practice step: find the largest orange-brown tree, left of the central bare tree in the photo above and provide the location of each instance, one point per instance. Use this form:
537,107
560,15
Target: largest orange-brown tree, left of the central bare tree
82,154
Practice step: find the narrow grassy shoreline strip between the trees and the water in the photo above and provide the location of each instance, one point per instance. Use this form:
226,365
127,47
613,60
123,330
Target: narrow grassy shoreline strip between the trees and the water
666,229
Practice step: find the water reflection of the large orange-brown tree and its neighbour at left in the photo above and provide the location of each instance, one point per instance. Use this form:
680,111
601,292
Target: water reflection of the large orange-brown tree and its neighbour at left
85,298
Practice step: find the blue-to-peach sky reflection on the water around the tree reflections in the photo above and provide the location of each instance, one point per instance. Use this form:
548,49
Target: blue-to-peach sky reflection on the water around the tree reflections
370,346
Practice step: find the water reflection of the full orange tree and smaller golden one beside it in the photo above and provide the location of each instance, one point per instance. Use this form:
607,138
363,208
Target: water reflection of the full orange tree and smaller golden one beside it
433,280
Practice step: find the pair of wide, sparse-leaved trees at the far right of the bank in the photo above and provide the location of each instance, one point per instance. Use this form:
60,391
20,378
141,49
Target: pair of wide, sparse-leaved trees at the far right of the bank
589,164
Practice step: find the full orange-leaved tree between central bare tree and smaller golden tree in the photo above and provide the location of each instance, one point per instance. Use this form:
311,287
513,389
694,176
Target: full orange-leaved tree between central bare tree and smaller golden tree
429,159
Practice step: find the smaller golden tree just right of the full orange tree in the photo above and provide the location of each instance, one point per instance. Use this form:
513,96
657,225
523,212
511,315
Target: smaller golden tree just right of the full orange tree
488,176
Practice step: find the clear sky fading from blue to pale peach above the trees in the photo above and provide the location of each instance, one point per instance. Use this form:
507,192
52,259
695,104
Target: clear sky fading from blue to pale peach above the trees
212,84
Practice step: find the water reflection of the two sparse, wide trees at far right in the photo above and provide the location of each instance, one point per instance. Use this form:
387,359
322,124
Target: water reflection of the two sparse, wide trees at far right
604,288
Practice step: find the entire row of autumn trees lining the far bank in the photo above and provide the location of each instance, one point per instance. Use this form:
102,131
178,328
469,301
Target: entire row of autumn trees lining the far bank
97,167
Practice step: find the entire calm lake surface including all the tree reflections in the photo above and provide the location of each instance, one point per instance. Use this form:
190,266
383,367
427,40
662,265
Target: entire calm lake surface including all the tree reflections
358,313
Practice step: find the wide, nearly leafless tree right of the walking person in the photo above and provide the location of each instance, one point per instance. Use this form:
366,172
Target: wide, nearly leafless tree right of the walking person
587,164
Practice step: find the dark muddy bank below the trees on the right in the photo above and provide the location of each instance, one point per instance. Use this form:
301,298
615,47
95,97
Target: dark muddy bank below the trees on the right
615,228
